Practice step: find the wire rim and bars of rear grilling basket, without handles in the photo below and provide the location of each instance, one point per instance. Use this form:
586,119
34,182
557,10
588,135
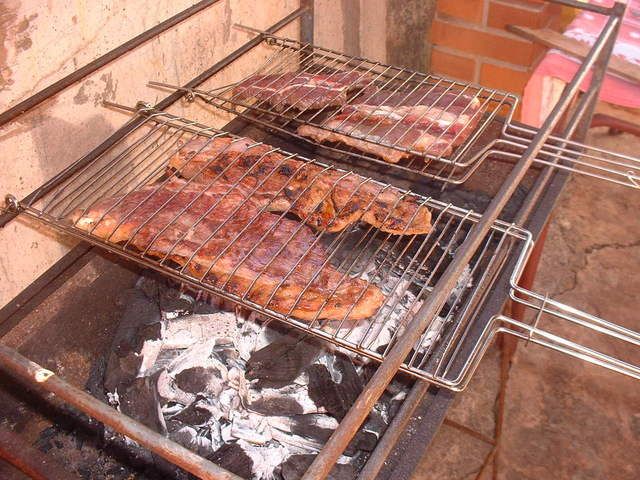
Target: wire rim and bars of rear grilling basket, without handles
454,169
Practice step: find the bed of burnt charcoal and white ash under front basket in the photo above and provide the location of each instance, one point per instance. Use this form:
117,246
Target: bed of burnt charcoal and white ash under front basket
245,427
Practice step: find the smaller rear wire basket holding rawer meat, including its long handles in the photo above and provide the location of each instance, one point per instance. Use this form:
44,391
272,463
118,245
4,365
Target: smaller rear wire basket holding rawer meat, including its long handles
458,115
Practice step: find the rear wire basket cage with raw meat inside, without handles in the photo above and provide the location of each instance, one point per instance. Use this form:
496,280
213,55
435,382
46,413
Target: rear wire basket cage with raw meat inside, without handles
452,115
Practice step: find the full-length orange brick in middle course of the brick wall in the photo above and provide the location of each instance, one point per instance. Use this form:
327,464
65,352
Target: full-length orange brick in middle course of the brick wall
486,43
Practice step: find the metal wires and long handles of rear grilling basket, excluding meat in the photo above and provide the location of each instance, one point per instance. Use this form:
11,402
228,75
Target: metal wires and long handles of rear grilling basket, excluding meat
560,153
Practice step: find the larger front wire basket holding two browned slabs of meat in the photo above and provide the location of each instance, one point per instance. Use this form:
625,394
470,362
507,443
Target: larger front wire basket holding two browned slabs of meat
403,268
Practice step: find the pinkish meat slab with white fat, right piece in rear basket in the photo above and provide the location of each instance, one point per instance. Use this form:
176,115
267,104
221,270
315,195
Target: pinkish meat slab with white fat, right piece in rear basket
432,121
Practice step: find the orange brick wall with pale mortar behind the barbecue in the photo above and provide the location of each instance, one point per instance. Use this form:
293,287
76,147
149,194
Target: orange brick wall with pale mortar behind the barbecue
470,42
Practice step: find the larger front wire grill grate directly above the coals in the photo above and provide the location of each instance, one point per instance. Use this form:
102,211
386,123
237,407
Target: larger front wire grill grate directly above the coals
403,267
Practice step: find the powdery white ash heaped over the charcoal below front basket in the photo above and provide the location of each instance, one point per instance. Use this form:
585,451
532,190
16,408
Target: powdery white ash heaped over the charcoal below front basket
222,343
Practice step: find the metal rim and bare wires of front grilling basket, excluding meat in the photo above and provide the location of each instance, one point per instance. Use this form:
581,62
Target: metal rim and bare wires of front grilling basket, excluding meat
448,224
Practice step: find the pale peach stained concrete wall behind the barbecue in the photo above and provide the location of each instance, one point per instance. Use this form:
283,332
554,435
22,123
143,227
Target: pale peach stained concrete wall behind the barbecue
42,41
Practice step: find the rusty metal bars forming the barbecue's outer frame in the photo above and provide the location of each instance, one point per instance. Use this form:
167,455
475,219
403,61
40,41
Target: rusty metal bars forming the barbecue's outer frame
576,125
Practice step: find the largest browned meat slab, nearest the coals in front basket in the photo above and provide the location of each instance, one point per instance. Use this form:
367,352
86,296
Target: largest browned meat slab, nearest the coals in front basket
224,239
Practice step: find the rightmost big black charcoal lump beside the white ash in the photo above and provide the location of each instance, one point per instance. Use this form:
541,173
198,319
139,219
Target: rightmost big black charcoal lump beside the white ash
336,397
